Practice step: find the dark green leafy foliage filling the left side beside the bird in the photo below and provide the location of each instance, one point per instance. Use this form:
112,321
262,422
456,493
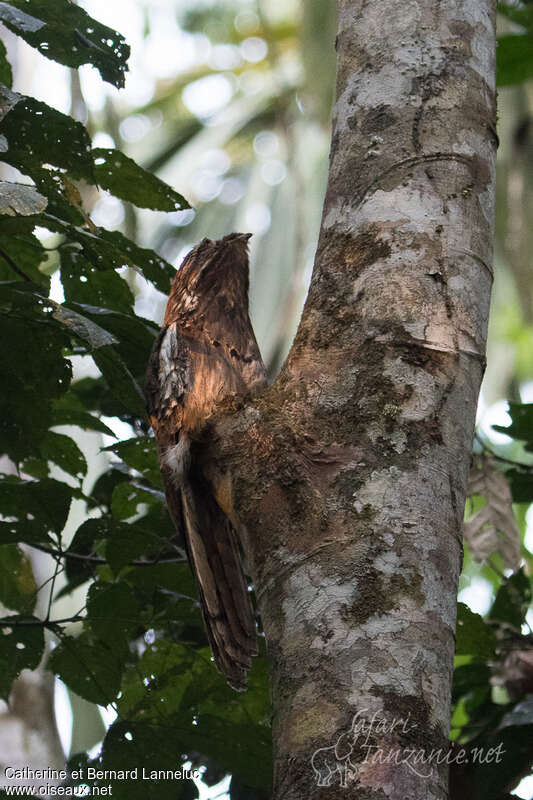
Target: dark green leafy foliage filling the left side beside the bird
139,644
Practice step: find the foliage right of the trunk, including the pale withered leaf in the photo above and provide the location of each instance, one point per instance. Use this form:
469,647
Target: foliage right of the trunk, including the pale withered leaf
493,677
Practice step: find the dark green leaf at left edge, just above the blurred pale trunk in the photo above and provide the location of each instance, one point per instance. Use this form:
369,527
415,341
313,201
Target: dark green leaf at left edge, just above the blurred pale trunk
22,647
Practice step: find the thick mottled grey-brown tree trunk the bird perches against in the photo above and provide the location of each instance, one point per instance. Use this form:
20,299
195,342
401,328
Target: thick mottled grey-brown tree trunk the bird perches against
349,474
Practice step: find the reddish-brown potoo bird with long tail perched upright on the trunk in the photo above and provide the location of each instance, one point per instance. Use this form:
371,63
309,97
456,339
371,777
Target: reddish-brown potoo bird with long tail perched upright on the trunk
206,353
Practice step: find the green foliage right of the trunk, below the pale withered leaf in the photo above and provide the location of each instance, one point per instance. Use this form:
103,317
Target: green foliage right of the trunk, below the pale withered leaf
491,708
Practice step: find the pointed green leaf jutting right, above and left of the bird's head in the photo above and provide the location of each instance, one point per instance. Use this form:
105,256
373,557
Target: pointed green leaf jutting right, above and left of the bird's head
124,178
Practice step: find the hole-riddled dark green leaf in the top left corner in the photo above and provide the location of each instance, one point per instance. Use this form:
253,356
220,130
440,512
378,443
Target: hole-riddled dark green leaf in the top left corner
63,31
